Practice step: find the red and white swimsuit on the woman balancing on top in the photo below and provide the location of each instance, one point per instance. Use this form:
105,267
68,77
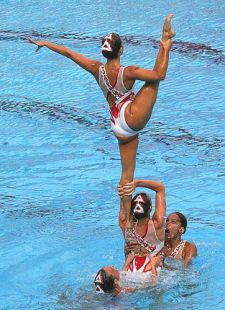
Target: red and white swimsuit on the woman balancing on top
123,98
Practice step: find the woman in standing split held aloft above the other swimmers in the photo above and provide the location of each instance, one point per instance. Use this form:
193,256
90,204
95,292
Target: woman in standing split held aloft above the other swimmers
129,112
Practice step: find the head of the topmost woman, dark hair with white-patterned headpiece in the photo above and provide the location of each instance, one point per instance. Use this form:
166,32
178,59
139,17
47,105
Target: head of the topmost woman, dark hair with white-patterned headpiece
112,46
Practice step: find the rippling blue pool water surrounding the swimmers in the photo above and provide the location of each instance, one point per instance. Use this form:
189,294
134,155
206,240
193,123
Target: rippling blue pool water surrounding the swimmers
59,163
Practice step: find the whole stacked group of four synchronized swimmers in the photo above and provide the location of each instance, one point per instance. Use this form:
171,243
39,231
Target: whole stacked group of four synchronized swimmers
147,240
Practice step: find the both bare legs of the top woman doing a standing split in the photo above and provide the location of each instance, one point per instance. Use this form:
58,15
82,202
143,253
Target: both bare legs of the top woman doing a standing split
137,115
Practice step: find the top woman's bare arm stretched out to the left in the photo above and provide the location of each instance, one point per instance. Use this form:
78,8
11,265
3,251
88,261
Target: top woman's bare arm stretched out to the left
87,64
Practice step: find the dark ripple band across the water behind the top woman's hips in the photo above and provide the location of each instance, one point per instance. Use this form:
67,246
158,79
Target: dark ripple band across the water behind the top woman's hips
168,136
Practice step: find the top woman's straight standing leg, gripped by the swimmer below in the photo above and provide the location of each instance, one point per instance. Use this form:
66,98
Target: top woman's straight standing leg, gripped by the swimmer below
128,152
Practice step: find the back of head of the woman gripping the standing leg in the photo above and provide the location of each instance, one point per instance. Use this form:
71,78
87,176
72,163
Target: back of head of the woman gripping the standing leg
141,206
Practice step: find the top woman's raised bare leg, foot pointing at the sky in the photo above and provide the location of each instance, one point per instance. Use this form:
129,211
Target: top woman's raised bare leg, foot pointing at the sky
138,112
